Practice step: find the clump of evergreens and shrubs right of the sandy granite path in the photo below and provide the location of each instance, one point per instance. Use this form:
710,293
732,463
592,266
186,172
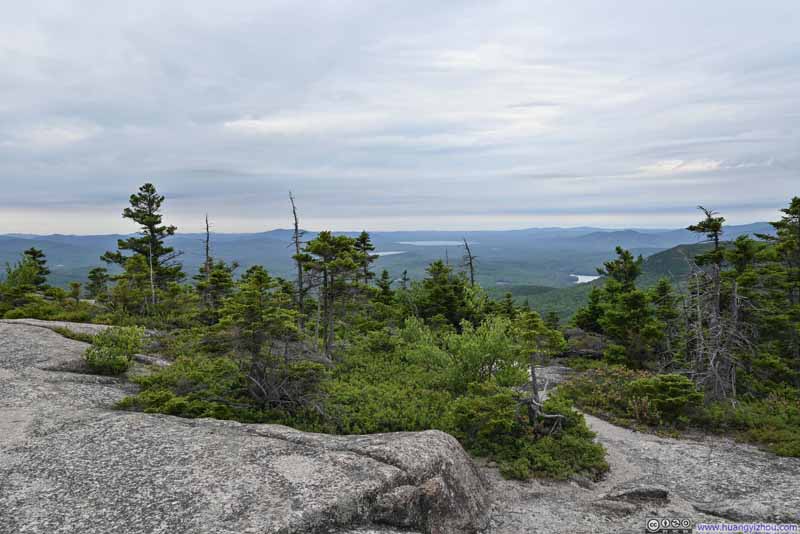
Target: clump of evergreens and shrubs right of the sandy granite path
723,356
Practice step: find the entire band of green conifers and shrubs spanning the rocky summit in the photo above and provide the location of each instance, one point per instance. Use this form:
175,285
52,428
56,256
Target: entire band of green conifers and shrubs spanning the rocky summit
341,350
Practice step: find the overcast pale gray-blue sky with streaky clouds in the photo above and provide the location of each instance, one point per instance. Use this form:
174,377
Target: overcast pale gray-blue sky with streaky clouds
398,115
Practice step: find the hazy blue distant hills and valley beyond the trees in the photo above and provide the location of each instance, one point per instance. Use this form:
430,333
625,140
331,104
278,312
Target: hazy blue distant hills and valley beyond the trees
528,256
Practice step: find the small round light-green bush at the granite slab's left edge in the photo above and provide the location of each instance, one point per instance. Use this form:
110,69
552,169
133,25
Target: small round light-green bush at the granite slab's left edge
112,350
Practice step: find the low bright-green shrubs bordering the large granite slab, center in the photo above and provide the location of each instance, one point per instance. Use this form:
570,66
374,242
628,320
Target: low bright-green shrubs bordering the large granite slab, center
390,381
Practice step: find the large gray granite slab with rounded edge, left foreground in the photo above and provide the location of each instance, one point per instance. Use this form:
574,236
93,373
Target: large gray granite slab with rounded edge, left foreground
70,464
